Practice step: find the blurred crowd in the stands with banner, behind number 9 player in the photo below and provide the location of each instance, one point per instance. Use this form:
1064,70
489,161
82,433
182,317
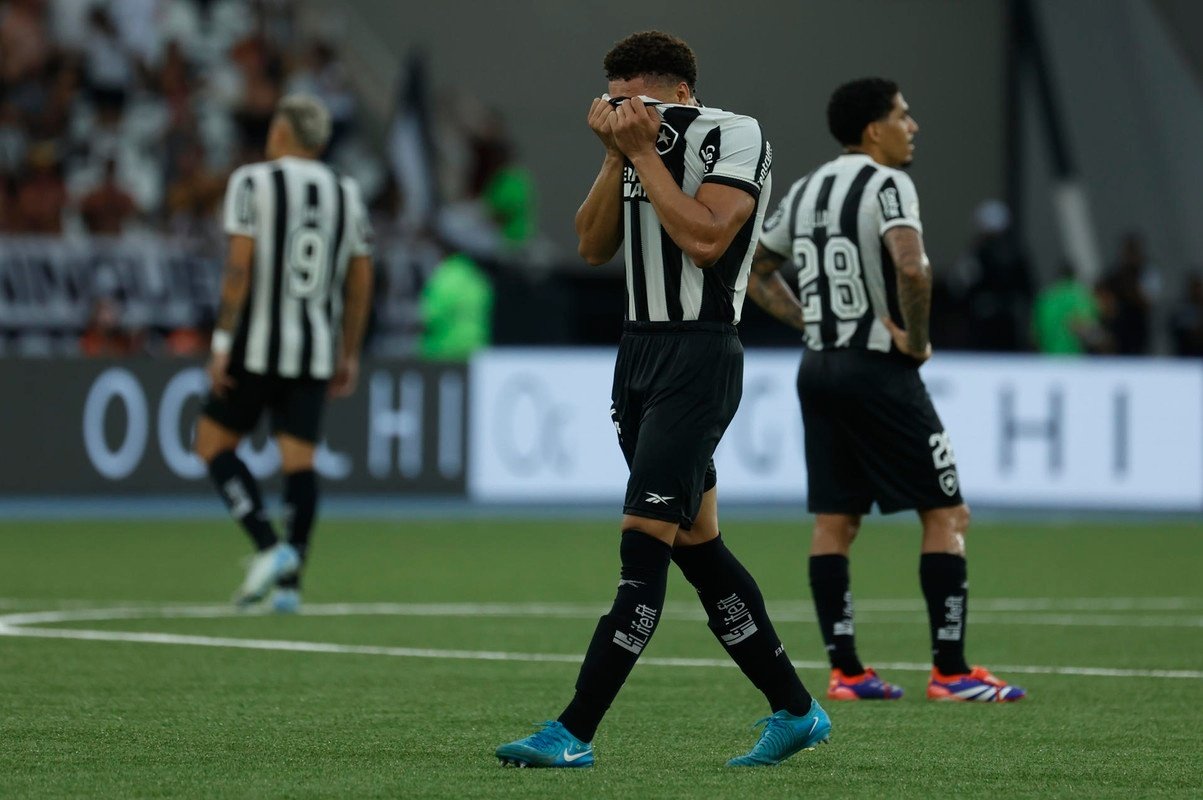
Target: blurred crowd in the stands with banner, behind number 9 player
121,122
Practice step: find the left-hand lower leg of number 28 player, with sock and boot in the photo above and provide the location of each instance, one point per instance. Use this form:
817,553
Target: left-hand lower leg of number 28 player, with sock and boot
832,589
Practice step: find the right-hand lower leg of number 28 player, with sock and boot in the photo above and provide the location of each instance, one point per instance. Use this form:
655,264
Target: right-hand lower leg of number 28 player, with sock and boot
944,577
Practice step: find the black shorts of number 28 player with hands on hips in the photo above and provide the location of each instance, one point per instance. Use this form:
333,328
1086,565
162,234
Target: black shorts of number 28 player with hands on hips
873,436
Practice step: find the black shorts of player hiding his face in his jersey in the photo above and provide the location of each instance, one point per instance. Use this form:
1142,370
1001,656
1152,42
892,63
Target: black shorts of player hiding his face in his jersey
677,387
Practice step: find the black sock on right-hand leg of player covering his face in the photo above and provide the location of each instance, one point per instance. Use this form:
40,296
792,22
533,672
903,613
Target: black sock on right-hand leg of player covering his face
739,620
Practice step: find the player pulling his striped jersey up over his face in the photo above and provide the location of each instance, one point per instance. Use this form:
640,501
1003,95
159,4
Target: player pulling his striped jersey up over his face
685,188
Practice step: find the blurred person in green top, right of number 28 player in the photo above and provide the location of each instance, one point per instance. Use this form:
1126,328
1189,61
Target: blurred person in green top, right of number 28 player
1066,318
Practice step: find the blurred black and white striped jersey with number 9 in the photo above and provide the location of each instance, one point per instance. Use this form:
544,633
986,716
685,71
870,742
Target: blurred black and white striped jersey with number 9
307,223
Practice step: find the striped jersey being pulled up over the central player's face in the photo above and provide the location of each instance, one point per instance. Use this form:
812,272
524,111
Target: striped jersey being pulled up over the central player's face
698,146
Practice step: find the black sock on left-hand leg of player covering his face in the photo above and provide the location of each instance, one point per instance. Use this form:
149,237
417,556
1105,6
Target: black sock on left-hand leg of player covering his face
623,635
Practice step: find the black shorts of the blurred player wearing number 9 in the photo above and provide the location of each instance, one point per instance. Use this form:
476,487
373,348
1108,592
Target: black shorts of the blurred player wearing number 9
297,405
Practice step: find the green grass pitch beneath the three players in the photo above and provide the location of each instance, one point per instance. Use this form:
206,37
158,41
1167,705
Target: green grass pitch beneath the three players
97,719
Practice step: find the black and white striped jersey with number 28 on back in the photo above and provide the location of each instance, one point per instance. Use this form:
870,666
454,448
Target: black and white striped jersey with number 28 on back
831,226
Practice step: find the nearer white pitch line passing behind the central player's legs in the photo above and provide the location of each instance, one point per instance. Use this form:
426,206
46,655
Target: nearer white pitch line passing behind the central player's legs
501,656
